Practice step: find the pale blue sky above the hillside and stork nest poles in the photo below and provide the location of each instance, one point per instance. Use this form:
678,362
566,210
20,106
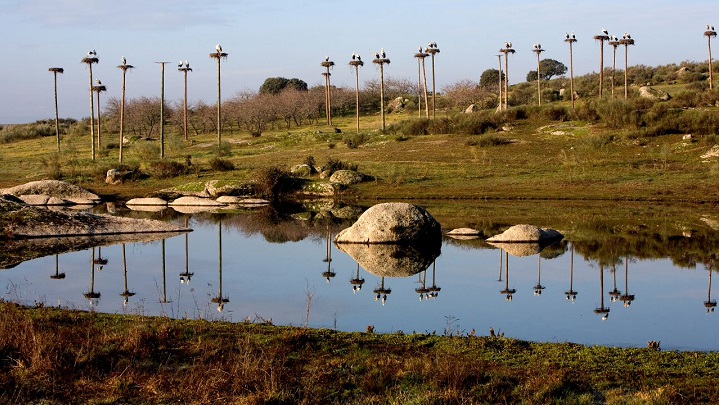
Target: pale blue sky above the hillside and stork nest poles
290,39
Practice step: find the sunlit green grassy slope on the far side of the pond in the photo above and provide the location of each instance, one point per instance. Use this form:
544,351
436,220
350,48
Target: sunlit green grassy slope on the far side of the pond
533,158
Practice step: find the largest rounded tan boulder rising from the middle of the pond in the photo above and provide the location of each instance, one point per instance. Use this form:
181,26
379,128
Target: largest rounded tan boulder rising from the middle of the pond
393,223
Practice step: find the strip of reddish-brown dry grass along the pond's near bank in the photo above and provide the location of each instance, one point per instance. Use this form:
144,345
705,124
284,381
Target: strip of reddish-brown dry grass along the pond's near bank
67,356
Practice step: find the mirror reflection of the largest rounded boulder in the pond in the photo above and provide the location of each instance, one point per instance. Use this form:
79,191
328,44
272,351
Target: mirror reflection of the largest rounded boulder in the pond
392,260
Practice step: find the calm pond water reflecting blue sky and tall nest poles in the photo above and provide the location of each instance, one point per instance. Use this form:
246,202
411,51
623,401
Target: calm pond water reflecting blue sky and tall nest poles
621,285
